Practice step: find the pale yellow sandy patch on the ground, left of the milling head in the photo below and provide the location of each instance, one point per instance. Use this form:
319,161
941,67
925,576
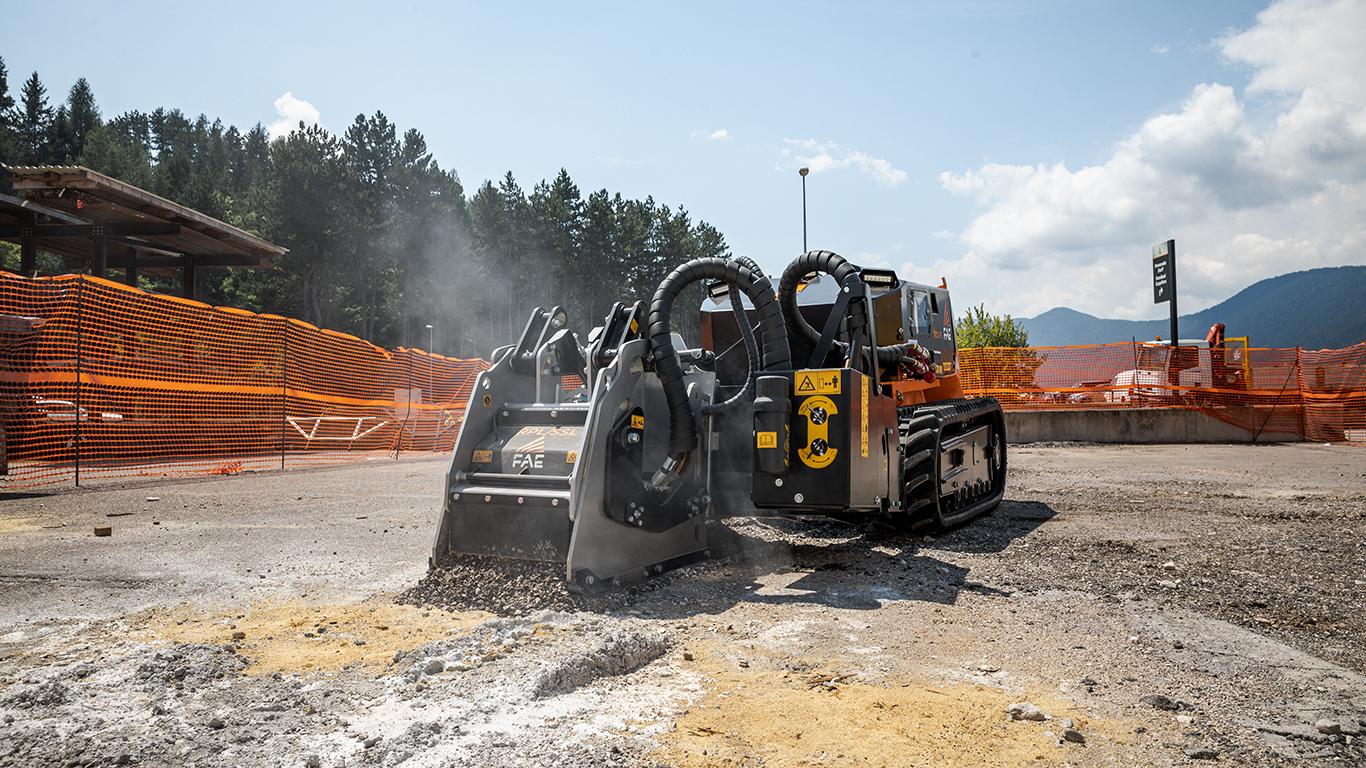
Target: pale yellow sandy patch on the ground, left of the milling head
292,636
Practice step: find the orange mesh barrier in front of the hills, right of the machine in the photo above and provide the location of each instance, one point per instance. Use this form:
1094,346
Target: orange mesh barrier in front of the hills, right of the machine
1315,394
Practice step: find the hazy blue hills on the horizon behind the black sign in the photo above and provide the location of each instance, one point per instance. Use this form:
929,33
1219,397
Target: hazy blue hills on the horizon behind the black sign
1313,310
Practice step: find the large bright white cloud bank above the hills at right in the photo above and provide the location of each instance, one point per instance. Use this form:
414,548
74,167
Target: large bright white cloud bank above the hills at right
1245,197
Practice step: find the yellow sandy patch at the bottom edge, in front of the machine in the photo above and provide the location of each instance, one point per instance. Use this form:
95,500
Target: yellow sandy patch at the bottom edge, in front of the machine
815,715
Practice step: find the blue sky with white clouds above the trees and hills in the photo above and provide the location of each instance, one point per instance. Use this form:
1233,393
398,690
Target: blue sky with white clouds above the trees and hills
947,139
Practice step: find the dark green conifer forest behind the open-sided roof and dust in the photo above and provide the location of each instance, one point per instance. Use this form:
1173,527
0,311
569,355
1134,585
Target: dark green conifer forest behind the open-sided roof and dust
383,241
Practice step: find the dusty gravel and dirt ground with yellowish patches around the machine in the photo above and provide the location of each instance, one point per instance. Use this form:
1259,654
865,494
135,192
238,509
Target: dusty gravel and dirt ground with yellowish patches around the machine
1133,606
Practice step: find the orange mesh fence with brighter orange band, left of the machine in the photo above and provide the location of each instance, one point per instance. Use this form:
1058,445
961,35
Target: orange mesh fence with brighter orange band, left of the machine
99,381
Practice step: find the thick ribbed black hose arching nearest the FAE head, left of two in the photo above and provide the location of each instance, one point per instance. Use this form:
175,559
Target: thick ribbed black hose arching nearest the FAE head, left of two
778,356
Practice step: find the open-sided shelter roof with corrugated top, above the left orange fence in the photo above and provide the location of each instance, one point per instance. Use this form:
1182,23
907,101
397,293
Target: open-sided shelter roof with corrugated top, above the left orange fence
87,217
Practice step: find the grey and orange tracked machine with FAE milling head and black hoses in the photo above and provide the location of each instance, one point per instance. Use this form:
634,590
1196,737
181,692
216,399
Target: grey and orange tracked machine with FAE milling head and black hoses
837,394
